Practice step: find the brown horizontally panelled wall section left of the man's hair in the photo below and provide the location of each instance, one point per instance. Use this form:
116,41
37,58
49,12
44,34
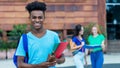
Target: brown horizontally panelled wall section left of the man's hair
12,12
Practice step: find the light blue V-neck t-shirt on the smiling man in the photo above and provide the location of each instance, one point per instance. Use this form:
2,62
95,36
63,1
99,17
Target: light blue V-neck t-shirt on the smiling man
39,48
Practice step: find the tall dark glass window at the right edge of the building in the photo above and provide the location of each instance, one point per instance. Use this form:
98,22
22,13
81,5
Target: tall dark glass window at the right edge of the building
113,19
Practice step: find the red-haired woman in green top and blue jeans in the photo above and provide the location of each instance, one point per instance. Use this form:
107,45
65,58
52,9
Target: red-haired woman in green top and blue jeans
96,54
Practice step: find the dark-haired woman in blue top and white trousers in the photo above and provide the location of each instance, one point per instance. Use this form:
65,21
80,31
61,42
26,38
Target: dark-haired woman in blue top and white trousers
76,45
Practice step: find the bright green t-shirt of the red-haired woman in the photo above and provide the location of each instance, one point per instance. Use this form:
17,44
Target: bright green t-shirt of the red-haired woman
96,41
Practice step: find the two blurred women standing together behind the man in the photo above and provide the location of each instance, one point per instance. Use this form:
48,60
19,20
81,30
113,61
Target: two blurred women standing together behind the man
96,43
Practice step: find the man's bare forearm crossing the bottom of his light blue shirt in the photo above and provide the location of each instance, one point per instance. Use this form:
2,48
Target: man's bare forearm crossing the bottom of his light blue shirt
21,64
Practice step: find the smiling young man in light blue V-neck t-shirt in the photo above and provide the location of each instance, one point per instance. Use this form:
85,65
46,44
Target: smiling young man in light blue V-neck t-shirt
41,42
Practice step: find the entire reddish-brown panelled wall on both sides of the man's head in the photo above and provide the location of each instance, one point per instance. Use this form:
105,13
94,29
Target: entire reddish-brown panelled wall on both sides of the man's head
59,12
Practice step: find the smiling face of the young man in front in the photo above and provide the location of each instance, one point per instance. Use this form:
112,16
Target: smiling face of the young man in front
37,19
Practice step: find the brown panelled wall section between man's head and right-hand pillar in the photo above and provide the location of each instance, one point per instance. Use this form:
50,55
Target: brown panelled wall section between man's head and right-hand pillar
69,12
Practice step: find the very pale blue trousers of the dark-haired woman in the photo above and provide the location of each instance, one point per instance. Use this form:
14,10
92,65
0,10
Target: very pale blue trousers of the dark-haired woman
79,60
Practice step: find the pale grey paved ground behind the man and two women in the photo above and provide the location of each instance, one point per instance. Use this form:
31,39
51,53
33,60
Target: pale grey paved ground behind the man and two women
111,61
